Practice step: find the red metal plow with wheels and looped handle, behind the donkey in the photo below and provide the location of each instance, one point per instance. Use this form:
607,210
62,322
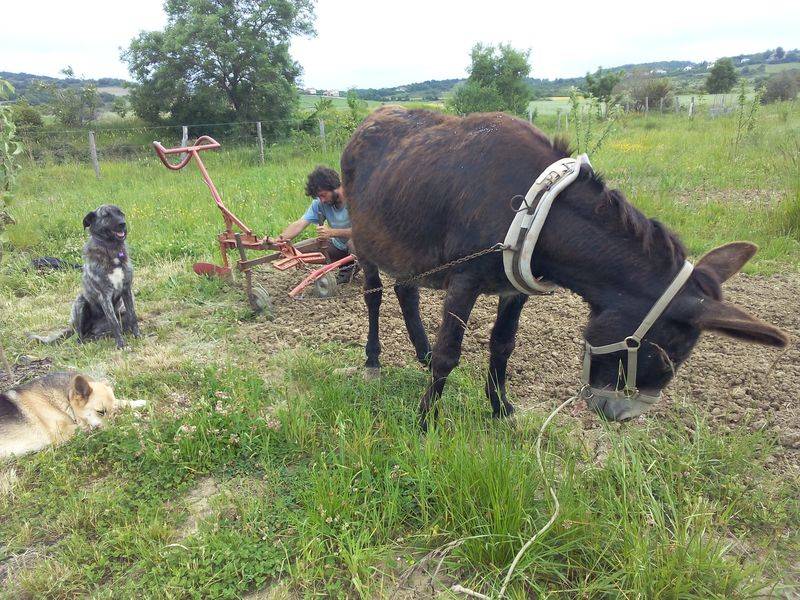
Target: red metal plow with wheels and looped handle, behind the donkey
284,255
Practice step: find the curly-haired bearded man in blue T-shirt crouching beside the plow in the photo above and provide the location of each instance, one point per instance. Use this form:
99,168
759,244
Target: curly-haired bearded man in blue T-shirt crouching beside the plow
325,187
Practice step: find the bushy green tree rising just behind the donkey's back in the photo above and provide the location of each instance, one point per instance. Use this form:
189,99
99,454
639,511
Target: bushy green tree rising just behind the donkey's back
496,81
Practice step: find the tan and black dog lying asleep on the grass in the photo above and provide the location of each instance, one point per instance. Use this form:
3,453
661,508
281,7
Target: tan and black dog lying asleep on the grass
50,409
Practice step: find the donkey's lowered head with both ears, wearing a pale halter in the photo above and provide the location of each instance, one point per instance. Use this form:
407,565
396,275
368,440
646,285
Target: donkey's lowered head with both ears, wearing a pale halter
697,307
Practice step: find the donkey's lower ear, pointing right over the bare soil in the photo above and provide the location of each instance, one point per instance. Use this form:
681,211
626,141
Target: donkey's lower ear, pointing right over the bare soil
729,320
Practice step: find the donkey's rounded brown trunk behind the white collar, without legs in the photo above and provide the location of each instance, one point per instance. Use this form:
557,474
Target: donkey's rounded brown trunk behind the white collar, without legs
424,188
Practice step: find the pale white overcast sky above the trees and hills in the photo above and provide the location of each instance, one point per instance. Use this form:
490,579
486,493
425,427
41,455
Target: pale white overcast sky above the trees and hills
364,43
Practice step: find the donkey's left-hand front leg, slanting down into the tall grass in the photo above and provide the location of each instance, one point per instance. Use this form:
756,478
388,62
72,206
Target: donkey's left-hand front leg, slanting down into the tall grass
461,295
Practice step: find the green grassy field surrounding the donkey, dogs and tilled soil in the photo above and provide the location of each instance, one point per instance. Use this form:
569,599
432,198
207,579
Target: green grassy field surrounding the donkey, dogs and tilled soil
257,469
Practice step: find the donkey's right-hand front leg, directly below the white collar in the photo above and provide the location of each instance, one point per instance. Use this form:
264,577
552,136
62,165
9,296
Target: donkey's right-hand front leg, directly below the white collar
501,345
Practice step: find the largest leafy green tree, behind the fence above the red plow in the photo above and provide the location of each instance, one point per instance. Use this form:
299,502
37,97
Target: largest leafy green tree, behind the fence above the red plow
219,60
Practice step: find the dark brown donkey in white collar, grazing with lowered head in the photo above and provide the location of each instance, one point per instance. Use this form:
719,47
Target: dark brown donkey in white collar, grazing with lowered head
425,188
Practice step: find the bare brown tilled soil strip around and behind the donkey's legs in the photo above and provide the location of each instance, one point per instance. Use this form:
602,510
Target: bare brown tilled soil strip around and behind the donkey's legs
735,384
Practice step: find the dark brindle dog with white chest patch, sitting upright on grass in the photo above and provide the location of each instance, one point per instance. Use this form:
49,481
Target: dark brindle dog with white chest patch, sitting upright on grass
105,304
